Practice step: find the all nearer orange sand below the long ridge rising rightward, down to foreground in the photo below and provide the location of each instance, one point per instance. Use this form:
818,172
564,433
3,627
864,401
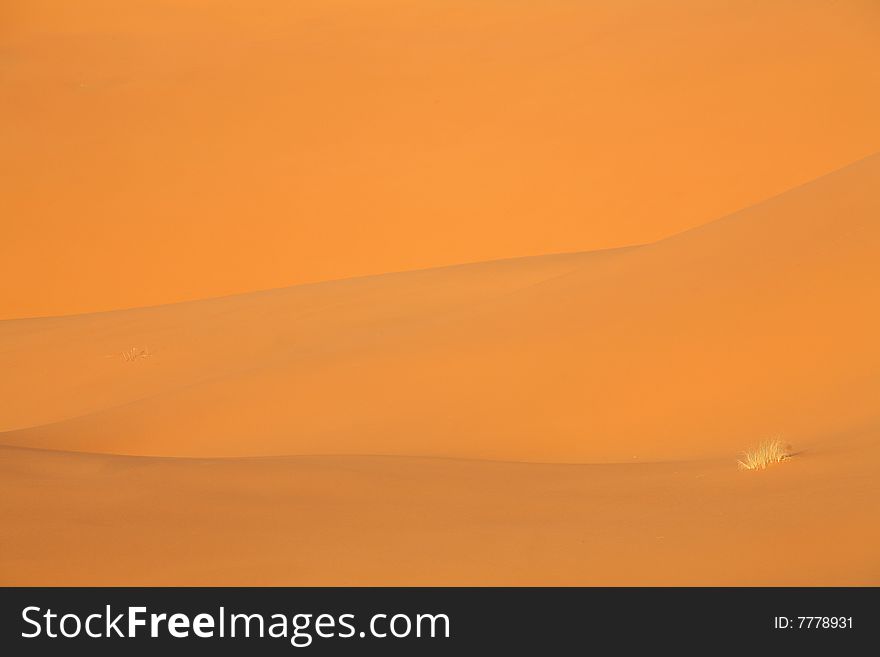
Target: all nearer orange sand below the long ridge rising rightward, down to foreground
640,372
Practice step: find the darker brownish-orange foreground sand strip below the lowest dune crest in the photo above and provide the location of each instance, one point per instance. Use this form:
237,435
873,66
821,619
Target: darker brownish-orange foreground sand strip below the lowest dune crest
97,519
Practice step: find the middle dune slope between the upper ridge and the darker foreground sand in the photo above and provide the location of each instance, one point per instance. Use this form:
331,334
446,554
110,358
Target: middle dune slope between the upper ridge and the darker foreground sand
693,347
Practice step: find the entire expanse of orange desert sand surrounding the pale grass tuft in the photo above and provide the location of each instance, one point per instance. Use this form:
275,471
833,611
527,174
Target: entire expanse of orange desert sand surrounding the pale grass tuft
553,419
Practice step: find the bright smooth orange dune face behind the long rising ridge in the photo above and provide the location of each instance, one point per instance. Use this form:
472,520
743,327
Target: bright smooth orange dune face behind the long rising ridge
162,150
